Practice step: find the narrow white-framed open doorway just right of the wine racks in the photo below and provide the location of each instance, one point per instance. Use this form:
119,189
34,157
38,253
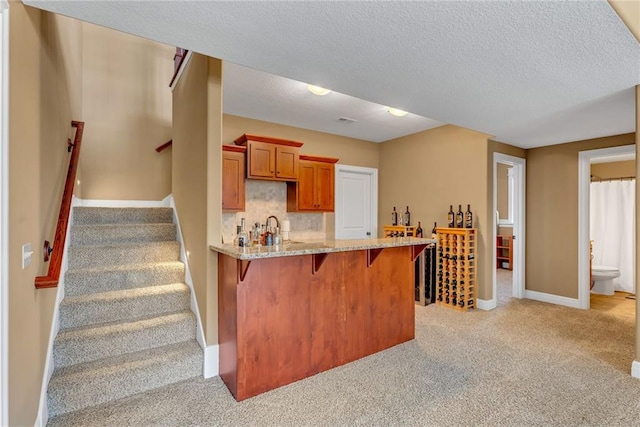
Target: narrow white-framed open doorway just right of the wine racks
509,225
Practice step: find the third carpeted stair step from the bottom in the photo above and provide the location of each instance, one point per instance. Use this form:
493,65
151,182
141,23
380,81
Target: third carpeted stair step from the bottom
124,305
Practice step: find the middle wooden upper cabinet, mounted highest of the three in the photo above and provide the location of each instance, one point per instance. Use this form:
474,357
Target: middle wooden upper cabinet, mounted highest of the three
271,158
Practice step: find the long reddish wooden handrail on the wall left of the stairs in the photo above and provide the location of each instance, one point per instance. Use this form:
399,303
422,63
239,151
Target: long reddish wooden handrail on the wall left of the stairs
55,264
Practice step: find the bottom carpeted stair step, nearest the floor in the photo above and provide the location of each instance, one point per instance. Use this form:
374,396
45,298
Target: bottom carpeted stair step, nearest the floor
81,386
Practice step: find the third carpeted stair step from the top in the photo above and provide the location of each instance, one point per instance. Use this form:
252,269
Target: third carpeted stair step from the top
94,256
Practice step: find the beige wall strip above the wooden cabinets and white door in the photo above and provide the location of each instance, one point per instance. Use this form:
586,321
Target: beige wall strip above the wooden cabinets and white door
350,151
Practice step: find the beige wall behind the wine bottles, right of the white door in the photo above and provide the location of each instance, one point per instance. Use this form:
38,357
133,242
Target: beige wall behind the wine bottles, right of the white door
431,170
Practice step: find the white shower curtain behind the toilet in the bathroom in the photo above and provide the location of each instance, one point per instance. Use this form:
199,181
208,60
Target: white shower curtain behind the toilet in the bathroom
613,229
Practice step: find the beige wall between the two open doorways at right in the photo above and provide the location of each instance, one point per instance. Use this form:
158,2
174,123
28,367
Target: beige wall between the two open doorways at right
552,214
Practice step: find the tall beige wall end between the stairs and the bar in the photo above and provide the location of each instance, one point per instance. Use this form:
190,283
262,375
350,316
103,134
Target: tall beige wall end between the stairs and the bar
197,130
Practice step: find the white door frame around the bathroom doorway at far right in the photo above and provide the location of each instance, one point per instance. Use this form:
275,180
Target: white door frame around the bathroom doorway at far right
585,159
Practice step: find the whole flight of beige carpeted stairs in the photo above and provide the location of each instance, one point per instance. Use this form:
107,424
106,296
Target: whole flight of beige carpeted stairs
125,322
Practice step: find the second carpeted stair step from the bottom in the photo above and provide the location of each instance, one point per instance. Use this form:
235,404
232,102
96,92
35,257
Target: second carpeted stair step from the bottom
85,344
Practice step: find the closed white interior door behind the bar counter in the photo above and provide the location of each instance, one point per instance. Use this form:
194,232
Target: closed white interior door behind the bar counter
356,204
